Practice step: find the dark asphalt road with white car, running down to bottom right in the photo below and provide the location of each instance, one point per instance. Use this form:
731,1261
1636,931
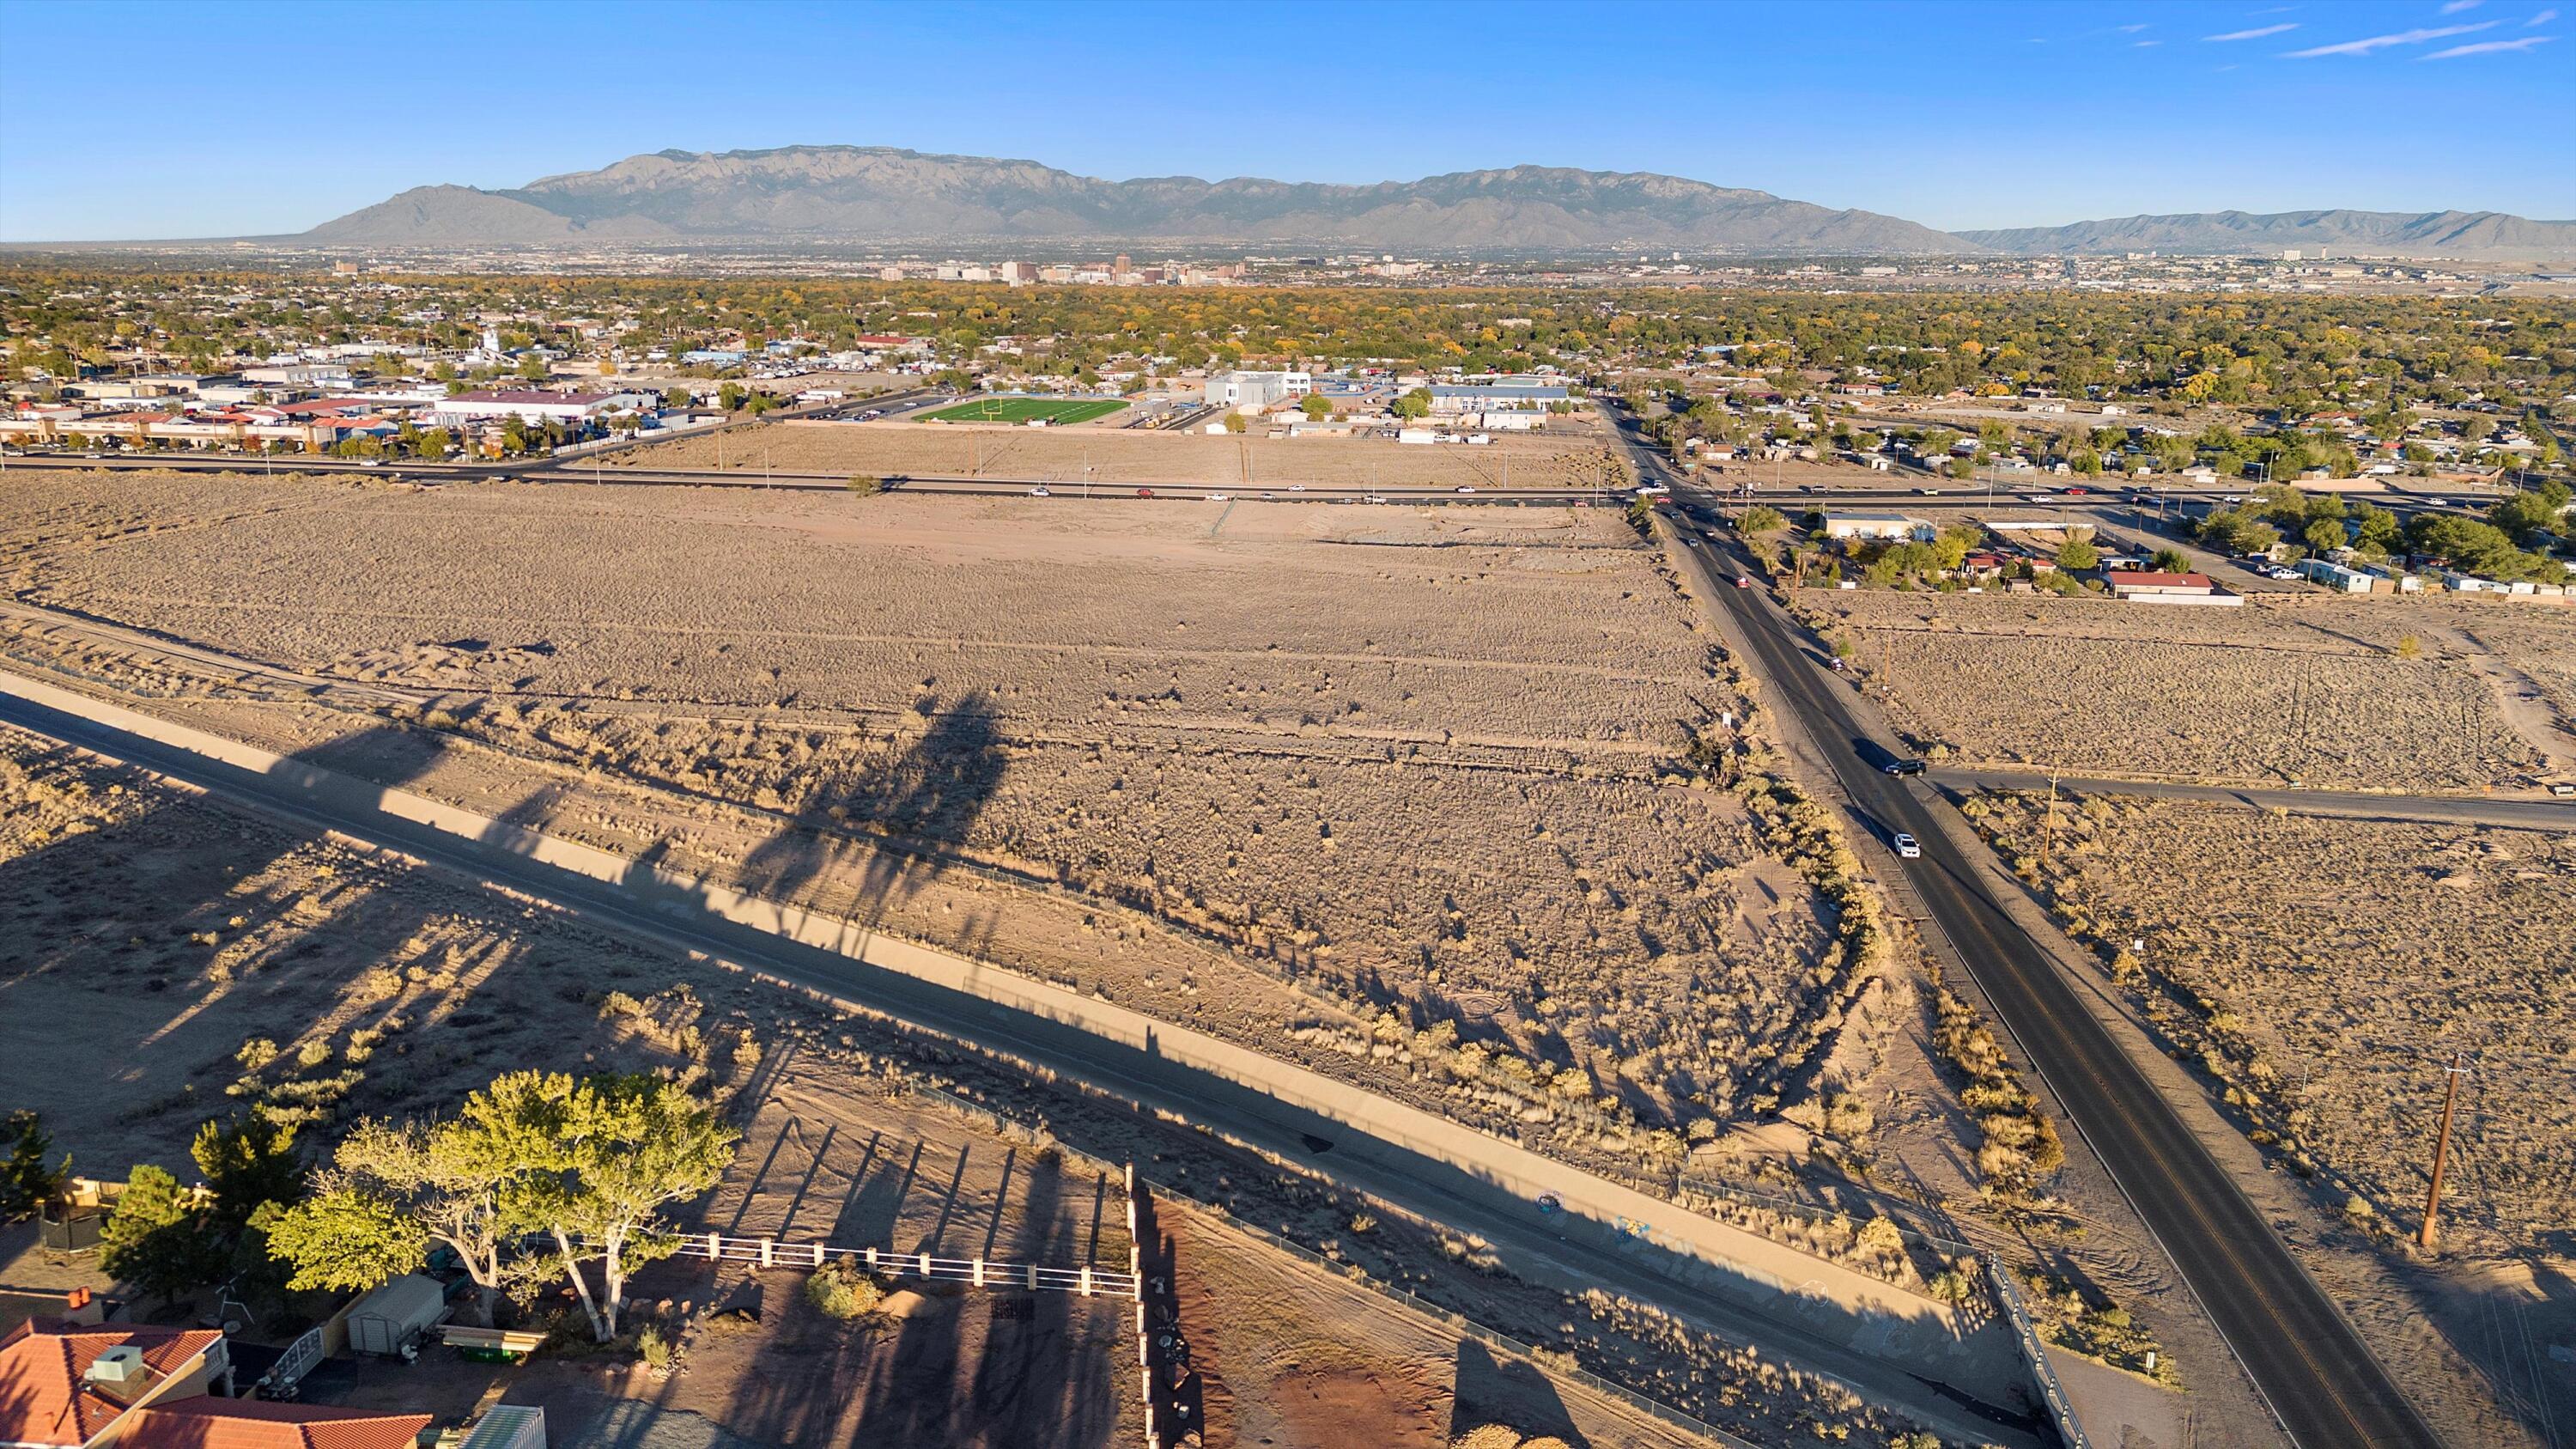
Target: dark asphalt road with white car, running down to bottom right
2304,1357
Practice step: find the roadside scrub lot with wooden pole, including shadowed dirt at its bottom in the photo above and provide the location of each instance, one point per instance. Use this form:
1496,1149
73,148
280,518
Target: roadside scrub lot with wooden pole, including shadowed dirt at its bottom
2320,976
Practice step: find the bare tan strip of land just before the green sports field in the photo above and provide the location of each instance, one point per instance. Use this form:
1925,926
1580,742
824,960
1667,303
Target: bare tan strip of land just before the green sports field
1573,455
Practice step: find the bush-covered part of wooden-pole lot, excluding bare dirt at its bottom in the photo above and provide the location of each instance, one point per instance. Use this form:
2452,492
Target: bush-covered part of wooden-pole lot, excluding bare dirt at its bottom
2322,973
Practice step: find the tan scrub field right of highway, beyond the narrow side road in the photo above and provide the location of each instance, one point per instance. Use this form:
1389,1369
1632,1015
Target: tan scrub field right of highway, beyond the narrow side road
2335,692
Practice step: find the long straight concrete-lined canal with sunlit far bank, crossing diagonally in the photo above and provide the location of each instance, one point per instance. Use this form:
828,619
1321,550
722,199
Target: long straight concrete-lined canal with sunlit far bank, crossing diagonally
1892,1347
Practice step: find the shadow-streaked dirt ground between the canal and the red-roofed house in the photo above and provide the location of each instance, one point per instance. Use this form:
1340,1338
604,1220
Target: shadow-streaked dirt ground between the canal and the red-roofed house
164,932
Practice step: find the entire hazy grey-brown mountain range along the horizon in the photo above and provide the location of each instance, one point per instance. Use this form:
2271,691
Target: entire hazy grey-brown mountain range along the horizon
880,195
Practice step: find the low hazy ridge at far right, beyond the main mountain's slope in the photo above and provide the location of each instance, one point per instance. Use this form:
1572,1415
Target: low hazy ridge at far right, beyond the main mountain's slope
2490,236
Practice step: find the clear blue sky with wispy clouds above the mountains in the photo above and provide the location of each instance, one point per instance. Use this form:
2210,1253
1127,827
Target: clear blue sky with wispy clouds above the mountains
143,120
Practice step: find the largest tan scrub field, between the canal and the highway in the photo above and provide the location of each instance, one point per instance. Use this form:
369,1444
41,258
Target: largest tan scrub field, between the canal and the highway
1426,764
